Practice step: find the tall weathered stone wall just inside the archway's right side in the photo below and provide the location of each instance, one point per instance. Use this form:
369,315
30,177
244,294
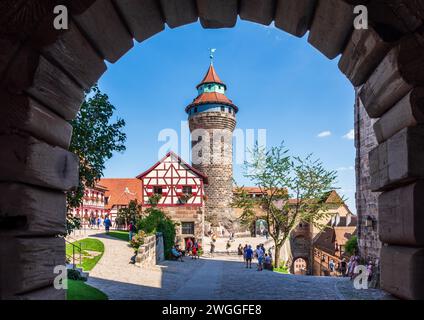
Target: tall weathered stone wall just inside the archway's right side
366,200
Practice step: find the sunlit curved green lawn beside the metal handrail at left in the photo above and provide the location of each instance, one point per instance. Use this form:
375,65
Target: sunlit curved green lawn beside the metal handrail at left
88,244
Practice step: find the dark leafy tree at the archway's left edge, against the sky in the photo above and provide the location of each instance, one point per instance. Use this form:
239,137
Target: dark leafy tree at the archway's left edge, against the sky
95,137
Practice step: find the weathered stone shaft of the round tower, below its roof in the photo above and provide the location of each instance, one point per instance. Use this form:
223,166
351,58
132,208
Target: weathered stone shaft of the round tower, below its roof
216,162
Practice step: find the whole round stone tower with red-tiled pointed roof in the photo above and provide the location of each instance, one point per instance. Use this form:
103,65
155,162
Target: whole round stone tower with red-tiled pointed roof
212,119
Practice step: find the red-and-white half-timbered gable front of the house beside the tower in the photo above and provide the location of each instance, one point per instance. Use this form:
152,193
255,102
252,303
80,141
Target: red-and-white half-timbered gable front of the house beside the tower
172,174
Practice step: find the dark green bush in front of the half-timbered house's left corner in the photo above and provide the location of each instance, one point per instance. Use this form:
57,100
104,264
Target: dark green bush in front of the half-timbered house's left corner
157,221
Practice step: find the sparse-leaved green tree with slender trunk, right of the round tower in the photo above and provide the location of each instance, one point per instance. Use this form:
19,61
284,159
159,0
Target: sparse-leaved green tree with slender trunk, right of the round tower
292,190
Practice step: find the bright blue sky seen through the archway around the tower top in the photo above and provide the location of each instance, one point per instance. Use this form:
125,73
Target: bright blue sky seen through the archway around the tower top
279,82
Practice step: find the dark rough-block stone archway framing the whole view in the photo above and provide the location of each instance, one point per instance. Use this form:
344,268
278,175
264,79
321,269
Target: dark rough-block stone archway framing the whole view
43,73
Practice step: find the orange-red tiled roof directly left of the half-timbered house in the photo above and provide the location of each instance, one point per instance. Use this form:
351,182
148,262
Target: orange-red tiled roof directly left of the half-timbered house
121,191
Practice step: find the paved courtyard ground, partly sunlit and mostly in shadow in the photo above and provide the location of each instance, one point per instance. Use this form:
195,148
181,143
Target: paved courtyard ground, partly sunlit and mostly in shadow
210,278
